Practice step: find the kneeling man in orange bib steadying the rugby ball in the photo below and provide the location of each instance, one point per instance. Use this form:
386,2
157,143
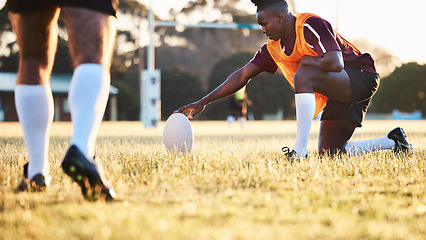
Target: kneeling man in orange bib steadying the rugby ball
328,73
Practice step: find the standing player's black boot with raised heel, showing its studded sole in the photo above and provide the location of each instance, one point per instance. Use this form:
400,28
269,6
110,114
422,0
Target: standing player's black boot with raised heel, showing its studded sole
88,174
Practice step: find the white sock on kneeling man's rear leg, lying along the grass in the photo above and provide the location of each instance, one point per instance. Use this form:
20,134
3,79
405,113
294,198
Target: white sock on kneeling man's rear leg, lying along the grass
359,147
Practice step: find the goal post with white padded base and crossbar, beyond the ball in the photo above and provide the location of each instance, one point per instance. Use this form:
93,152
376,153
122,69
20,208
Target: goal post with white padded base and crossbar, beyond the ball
151,77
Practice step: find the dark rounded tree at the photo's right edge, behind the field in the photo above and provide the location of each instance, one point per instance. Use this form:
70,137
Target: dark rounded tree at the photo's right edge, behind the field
404,89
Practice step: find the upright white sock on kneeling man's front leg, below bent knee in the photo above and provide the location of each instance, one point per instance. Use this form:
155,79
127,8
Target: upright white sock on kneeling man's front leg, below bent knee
305,110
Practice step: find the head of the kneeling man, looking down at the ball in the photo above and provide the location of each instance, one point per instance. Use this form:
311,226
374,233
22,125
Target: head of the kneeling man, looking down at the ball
272,16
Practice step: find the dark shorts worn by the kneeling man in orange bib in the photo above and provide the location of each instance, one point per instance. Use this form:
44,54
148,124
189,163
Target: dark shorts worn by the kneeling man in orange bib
364,85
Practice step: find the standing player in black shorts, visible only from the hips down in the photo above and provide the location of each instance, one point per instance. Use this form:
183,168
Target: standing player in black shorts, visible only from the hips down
91,28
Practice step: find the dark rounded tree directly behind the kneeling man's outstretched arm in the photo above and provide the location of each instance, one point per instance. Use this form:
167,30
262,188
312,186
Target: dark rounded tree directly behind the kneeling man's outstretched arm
268,92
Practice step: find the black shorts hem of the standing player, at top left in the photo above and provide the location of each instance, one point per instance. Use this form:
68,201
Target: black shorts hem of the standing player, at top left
106,6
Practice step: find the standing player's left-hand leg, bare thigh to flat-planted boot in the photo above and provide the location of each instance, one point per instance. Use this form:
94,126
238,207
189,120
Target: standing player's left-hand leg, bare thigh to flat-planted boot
36,33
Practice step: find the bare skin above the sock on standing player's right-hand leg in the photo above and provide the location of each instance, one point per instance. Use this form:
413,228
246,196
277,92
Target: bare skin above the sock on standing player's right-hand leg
91,35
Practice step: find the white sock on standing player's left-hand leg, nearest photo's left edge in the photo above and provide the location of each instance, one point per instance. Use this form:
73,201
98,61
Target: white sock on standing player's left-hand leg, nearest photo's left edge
34,105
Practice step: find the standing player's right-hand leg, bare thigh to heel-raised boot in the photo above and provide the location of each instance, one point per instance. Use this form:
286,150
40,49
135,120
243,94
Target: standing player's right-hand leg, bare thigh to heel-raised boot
91,40
